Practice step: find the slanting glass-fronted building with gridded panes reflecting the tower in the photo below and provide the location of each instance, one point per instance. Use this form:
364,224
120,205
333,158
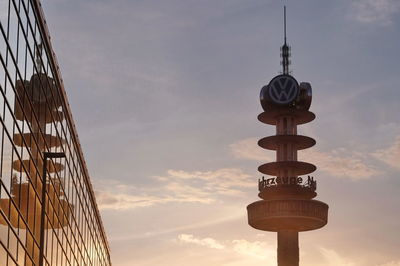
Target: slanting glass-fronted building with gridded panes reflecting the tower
52,220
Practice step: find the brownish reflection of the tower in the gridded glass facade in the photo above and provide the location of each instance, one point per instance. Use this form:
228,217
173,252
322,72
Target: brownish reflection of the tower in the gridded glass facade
38,107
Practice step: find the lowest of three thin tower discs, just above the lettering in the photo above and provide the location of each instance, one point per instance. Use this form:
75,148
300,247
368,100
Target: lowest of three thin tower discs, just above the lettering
297,168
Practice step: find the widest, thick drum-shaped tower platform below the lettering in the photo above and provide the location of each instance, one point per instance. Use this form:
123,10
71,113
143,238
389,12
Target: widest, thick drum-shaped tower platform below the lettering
287,214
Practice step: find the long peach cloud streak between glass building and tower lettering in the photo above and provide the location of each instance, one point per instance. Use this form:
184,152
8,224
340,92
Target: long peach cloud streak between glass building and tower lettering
176,186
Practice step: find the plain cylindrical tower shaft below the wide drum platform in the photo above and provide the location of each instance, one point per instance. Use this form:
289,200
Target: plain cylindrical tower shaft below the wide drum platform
288,248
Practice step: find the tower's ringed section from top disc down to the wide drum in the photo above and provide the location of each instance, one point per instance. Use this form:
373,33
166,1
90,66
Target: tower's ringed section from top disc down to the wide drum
287,198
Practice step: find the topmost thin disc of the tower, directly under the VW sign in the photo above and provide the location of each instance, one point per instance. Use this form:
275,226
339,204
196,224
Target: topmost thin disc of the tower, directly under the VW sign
301,116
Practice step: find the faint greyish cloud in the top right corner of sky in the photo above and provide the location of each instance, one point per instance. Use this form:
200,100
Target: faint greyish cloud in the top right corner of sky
379,12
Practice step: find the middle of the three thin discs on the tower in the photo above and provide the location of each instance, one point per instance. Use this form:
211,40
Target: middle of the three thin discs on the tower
300,142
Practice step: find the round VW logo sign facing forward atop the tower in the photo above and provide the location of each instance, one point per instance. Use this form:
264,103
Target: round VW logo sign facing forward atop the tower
283,89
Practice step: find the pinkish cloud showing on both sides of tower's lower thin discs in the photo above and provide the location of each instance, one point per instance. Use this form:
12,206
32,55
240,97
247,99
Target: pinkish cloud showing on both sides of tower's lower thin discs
340,163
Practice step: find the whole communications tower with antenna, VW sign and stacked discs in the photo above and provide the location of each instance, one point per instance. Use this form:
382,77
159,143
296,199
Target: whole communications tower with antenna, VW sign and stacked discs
287,205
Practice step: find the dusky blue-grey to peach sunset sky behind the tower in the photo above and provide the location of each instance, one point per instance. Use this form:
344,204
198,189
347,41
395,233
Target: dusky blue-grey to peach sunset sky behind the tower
164,95
